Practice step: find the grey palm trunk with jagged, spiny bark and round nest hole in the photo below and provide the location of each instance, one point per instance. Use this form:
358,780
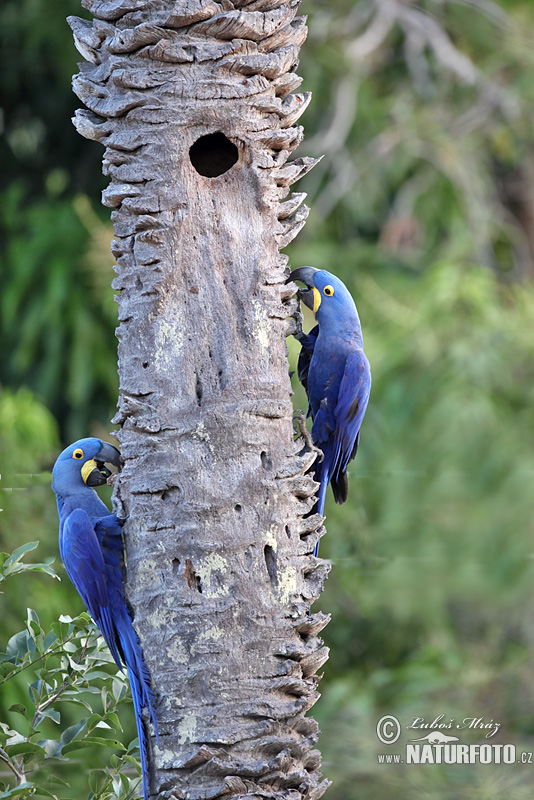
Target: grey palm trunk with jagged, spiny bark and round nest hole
220,571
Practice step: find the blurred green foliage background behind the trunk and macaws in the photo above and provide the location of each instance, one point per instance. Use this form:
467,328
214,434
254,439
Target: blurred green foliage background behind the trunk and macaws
424,205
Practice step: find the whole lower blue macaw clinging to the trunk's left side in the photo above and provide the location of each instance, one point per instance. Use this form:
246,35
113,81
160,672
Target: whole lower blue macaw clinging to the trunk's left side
91,548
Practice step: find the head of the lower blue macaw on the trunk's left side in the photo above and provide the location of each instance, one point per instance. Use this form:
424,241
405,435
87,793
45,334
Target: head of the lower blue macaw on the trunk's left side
83,464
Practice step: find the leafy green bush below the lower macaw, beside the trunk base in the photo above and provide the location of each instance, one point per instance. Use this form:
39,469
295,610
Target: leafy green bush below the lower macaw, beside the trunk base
61,671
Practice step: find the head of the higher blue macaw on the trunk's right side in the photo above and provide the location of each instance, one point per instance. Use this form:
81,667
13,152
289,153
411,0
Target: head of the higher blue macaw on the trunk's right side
326,296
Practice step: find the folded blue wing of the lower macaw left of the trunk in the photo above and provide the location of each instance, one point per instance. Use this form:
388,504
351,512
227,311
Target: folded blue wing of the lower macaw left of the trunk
84,561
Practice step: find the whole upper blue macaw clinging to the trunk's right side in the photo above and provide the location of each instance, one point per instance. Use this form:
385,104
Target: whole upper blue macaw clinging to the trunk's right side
336,375
